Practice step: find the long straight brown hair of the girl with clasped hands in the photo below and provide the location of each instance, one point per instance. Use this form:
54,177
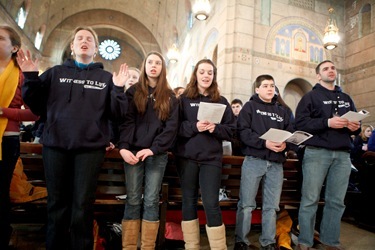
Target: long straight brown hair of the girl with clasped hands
162,92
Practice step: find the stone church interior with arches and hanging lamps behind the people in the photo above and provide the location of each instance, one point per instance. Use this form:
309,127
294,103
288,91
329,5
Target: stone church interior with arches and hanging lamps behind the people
244,38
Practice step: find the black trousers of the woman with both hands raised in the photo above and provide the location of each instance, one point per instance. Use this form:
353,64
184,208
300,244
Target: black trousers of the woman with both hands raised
71,177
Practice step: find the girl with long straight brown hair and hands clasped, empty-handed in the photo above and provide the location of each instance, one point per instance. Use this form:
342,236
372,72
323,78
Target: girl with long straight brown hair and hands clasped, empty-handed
146,135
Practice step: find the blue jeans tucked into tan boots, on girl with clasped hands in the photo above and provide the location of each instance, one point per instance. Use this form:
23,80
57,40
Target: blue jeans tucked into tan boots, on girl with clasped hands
152,170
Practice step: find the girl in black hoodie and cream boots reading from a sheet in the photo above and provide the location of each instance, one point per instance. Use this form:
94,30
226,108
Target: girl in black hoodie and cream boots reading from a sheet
199,154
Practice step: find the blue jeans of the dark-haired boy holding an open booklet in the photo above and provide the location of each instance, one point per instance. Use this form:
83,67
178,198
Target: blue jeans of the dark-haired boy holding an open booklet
254,171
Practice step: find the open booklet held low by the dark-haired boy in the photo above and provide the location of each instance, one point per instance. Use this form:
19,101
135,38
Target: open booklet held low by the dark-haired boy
278,135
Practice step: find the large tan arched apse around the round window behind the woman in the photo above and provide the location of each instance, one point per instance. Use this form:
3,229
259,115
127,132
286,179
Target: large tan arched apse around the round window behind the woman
134,38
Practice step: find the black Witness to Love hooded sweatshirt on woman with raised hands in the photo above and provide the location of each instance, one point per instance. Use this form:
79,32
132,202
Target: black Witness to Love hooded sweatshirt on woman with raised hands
77,103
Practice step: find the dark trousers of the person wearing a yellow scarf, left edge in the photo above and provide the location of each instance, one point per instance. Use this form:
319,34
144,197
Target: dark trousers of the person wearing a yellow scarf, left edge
10,154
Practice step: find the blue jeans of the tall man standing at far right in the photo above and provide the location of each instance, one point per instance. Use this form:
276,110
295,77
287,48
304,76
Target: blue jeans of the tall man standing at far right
321,165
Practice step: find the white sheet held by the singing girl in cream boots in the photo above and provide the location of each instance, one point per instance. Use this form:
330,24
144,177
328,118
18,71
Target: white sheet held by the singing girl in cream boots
212,112
